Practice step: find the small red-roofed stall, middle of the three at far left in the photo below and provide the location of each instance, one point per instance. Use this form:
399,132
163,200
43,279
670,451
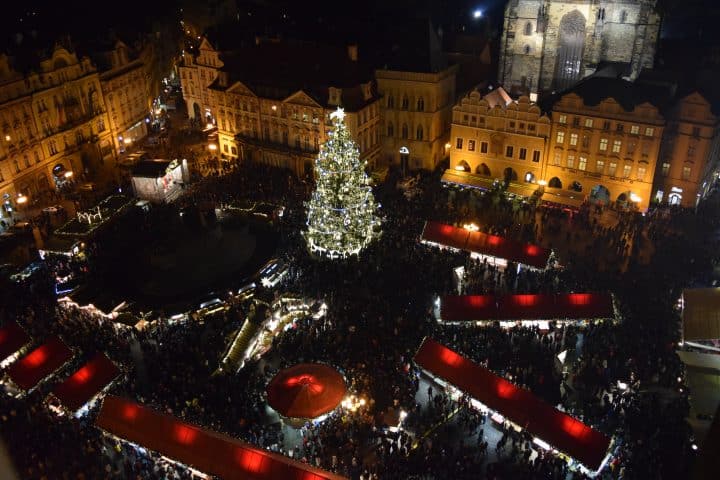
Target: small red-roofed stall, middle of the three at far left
30,370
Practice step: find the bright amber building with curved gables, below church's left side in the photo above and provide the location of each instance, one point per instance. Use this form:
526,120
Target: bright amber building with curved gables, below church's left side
496,138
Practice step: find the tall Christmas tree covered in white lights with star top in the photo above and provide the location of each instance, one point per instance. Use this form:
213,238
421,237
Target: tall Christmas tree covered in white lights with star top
341,211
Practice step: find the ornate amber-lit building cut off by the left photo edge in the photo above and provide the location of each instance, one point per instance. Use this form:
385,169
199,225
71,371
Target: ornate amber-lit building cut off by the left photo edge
54,126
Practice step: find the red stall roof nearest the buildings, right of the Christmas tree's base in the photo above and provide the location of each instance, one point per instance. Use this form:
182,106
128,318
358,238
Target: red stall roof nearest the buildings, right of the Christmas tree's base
486,244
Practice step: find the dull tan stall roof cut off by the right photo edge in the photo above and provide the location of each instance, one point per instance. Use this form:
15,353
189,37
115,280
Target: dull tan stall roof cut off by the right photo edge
701,314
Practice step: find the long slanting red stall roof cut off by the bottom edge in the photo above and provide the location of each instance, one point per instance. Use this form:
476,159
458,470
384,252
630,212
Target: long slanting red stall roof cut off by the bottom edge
204,450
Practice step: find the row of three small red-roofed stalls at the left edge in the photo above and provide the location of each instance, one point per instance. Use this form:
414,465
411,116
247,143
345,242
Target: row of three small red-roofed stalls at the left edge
24,370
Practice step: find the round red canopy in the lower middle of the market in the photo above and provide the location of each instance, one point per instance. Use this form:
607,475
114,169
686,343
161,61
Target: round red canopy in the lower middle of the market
307,390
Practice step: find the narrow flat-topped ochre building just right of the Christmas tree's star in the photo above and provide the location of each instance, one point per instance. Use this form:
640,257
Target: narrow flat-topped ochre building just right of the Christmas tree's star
416,114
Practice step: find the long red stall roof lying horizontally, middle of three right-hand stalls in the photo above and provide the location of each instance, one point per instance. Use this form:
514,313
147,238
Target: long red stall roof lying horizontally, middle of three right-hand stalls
568,306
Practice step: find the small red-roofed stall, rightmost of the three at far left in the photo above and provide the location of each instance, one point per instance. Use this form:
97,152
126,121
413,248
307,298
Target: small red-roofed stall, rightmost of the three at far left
80,387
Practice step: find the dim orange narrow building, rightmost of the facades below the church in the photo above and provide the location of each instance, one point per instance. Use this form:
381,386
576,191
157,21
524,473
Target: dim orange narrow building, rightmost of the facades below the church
687,151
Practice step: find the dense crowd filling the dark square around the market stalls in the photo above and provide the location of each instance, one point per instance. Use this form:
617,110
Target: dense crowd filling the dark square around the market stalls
380,307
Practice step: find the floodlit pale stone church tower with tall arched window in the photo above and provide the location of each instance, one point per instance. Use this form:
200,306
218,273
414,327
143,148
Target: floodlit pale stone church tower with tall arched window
548,45
